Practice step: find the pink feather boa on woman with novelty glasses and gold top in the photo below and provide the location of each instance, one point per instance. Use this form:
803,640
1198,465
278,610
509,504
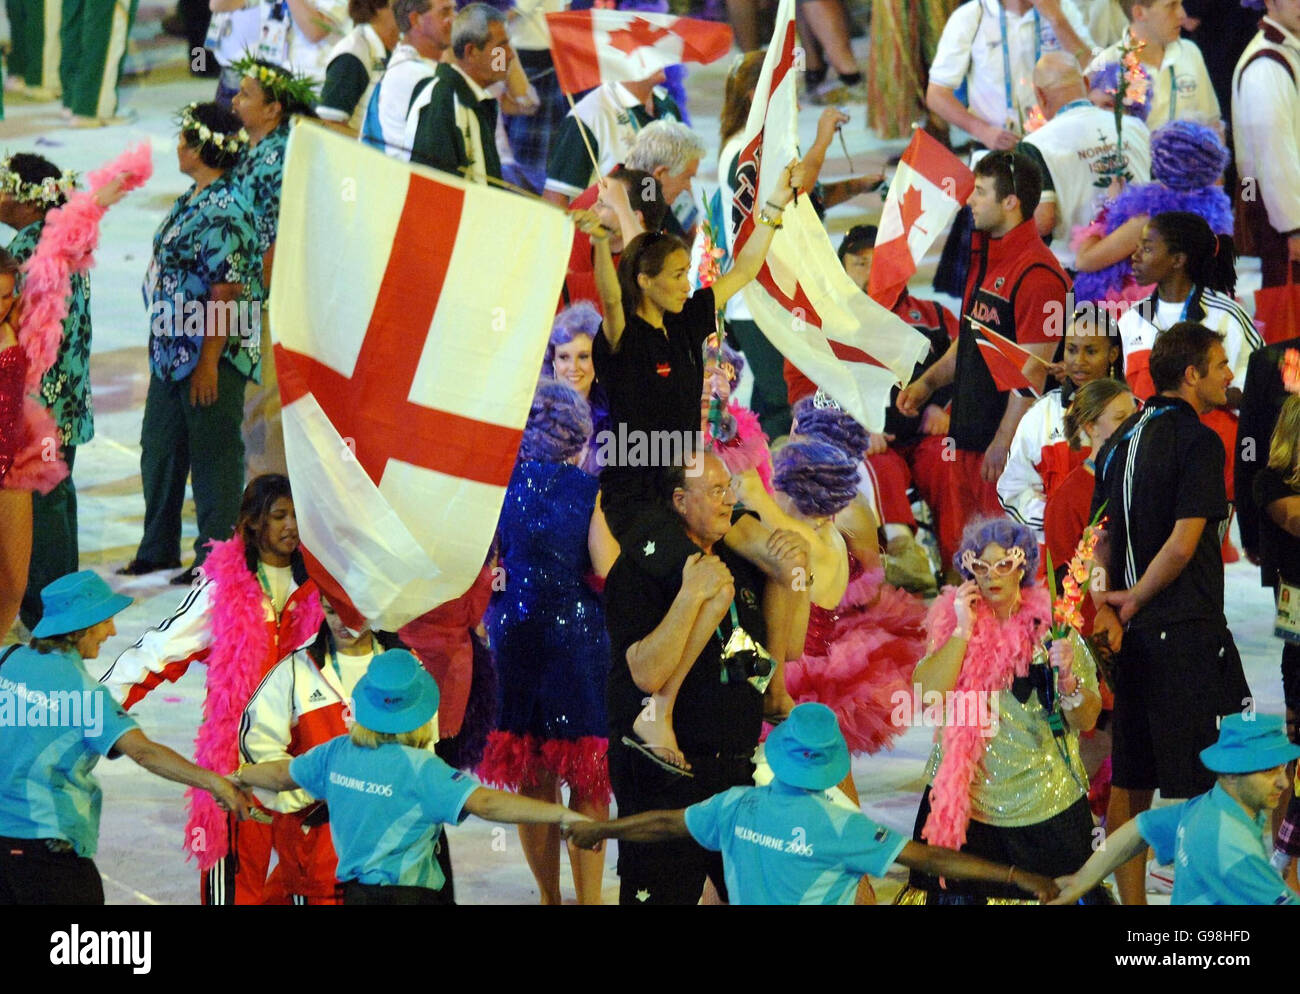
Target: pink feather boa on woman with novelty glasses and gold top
996,654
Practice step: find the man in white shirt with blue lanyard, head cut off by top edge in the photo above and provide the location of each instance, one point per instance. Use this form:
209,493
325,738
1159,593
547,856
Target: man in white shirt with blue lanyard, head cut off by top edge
993,47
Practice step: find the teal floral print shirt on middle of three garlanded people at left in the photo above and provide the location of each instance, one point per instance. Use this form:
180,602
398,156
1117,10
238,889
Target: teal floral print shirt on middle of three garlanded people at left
207,238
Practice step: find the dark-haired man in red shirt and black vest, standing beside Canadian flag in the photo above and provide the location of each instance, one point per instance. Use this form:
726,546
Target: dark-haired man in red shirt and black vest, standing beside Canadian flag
1017,289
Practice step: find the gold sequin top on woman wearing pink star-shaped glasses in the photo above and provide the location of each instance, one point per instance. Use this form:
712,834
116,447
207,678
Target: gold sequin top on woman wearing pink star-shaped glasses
1026,775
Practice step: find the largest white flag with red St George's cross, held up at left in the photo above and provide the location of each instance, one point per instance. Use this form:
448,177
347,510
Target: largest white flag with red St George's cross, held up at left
409,336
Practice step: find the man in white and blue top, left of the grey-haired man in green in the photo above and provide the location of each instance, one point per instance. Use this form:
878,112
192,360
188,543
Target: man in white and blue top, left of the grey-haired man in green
426,27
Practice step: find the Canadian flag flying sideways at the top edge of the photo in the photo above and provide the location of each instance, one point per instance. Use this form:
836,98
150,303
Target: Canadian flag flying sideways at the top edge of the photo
593,47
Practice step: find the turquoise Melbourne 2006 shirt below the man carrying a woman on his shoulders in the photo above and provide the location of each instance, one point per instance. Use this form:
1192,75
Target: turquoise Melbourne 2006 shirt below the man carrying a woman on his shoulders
786,845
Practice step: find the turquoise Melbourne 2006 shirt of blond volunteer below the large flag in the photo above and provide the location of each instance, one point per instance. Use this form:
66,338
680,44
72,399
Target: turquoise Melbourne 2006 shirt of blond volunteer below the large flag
387,808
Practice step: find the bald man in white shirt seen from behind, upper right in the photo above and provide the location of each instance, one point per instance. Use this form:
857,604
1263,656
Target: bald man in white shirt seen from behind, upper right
1078,153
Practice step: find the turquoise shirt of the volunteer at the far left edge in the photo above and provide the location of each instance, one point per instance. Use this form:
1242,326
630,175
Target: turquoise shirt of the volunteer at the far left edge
55,726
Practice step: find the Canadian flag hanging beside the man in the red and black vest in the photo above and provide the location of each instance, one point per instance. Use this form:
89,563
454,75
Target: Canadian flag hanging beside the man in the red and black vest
929,188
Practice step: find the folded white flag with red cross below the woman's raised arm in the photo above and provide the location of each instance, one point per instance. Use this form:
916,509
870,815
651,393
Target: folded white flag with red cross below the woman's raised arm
803,299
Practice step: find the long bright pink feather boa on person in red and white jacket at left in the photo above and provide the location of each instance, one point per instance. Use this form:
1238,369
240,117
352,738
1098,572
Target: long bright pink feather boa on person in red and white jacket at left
244,648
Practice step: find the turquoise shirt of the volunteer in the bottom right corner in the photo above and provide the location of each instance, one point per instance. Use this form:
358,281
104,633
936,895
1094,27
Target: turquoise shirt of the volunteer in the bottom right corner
1220,852
